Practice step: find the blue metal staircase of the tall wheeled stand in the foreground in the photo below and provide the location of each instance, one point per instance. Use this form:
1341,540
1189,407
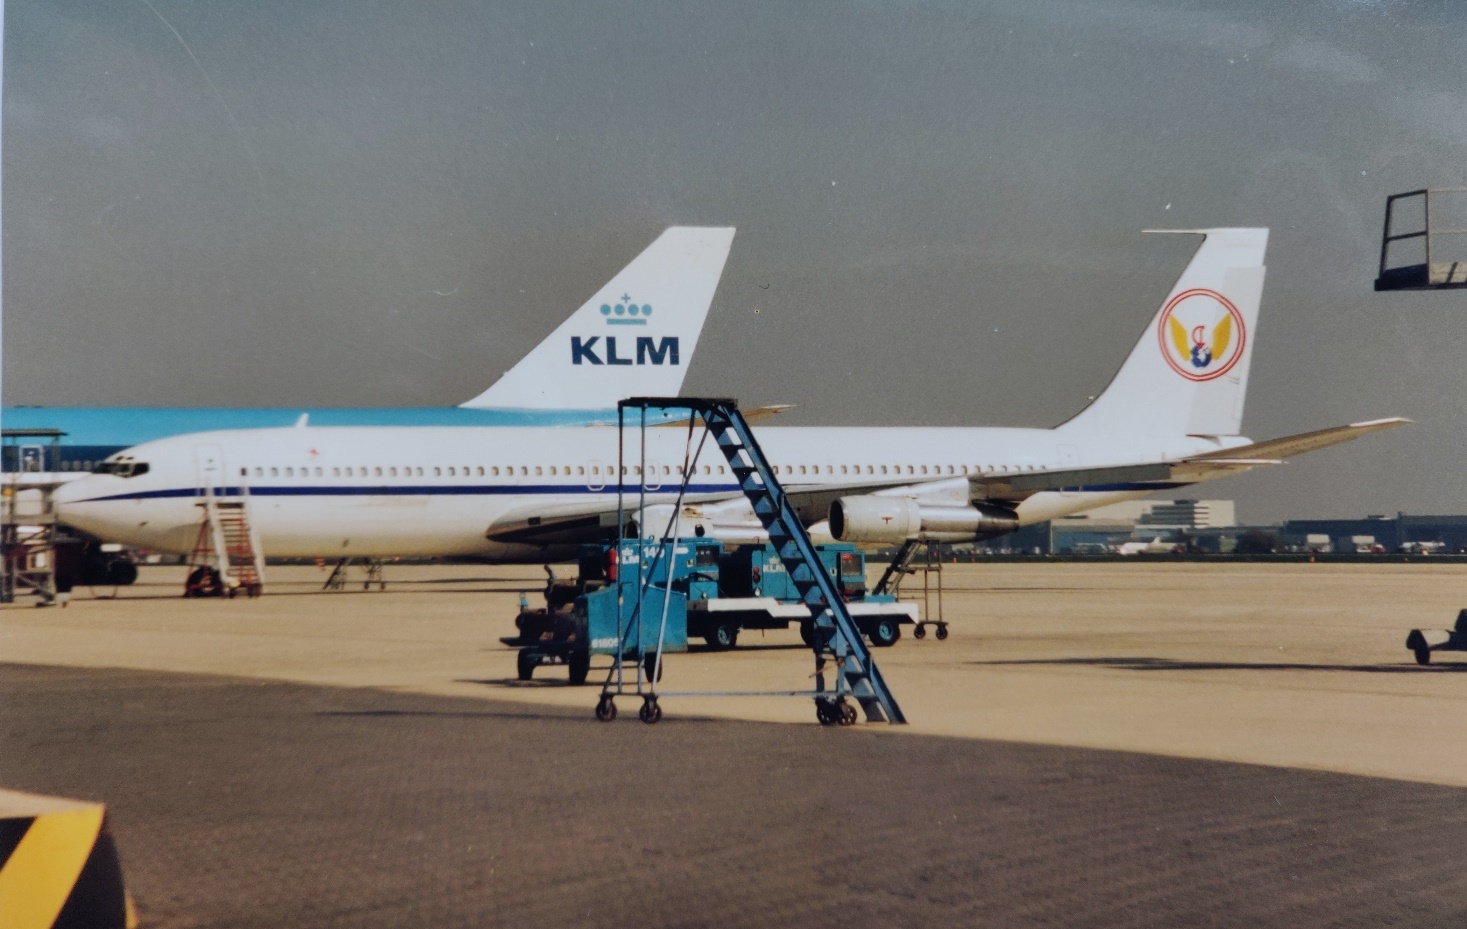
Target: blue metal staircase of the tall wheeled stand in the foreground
837,641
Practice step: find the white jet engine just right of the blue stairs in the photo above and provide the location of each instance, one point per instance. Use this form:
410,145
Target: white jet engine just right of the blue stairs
897,519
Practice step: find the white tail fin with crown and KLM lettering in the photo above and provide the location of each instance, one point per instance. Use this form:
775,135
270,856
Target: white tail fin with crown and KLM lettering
634,338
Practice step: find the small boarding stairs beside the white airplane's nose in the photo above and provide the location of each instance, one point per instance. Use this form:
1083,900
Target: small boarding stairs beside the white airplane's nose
227,558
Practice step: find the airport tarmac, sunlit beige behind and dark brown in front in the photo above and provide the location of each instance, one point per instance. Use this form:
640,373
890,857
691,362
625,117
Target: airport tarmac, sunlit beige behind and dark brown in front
1094,746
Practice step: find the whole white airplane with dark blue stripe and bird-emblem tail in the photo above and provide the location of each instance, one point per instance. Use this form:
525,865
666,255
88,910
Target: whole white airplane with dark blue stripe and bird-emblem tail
1171,418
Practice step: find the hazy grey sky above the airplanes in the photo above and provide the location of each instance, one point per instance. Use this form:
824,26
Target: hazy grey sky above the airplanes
940,205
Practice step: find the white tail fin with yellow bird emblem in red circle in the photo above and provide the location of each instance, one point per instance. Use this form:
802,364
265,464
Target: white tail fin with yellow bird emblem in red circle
1189,374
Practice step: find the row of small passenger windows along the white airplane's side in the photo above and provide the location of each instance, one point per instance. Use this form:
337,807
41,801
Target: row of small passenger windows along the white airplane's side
611,470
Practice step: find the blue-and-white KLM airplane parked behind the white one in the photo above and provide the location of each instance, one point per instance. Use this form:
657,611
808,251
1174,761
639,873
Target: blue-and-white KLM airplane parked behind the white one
656,307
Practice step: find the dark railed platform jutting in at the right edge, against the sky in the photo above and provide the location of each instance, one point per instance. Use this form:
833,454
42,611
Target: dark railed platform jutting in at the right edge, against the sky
1422,246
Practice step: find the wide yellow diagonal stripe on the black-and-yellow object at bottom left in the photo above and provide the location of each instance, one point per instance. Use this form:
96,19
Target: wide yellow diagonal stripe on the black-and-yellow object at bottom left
43,870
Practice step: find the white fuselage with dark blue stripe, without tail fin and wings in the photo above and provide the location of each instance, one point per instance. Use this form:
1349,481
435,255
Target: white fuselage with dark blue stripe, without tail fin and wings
381,492
